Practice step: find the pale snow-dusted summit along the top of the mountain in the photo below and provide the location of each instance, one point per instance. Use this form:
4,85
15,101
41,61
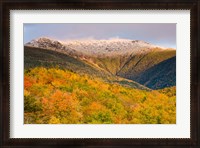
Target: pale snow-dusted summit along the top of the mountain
95,47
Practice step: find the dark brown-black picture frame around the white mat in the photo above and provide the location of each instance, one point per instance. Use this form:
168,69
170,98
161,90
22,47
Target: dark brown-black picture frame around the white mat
7,5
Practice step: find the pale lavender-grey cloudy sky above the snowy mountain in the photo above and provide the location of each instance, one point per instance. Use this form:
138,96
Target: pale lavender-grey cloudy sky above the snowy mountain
162,34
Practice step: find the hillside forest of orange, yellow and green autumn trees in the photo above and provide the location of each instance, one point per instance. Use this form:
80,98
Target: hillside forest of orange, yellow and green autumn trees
54,96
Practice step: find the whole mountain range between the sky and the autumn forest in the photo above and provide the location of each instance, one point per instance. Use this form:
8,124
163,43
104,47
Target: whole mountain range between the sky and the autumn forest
130,62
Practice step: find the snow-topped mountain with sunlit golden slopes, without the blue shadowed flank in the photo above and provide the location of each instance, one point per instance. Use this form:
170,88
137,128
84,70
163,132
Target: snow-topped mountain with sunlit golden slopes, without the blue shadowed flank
120,57
